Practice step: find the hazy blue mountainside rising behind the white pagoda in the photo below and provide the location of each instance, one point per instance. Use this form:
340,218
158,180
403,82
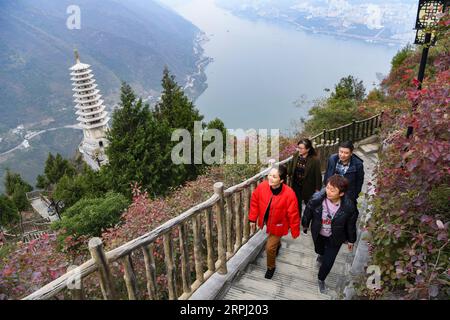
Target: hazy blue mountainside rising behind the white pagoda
123,40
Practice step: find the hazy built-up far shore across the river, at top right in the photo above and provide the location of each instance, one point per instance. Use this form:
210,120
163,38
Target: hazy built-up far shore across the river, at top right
380,21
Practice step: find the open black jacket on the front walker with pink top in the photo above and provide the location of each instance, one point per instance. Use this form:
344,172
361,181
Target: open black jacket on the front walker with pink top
343,225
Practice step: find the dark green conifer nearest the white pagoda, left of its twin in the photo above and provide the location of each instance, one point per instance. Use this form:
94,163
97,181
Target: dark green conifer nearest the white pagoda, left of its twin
140,149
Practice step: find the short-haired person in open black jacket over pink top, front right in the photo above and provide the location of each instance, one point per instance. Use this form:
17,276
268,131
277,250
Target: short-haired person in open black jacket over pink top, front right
332,216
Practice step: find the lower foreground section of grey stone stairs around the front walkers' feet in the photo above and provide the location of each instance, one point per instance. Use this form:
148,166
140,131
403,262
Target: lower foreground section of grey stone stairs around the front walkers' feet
295,277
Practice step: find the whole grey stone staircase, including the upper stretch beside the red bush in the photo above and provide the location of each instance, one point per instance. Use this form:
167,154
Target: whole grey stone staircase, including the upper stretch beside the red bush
295,277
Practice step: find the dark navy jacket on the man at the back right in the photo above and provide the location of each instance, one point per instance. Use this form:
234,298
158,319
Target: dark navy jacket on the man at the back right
354,174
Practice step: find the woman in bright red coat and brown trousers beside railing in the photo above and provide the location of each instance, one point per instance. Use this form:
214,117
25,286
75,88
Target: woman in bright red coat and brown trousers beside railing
275,205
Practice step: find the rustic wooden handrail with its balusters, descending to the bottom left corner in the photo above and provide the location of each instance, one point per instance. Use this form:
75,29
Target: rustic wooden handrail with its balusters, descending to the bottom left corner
223,218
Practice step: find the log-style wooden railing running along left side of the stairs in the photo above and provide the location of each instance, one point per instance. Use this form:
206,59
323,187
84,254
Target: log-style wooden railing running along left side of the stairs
211,232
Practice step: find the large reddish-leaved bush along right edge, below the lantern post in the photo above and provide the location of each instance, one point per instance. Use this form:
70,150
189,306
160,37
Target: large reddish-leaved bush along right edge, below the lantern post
410,220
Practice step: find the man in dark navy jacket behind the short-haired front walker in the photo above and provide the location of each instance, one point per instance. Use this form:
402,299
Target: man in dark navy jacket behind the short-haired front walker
348,165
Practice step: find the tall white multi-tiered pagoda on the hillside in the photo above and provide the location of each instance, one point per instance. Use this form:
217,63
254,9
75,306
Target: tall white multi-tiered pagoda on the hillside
92,116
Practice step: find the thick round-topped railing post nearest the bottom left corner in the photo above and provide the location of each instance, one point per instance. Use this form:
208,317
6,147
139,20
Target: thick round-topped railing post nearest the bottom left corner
106,283
